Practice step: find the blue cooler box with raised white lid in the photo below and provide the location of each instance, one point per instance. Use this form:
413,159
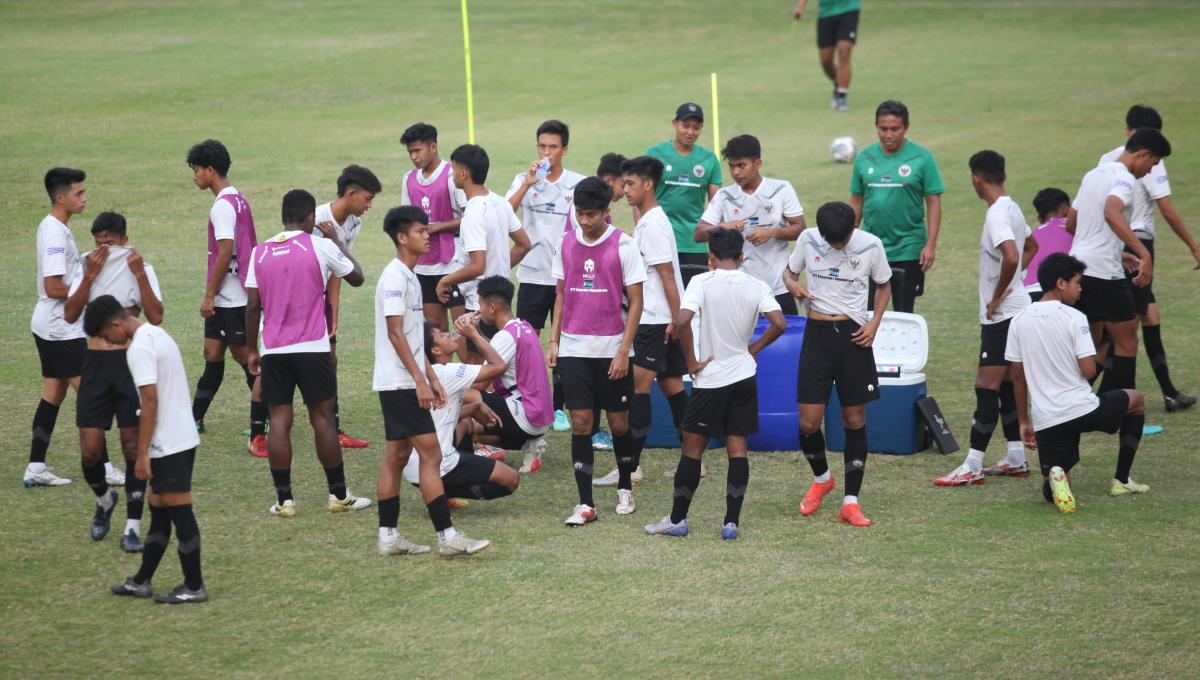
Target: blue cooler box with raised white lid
893,424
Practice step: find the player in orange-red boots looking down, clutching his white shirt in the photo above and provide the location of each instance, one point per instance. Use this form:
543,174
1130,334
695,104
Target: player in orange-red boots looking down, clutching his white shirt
838,336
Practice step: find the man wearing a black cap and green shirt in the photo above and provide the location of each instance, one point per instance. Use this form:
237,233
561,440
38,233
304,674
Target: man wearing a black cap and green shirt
692,174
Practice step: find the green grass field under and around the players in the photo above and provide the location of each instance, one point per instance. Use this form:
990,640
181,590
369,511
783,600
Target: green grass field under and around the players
982,582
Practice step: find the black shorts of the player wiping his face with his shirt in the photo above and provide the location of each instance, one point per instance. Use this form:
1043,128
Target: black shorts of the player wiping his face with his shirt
106,390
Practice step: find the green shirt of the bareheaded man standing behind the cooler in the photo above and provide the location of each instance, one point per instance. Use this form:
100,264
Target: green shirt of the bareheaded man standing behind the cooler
895,190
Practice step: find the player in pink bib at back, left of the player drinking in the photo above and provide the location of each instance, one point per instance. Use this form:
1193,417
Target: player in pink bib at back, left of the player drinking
430,186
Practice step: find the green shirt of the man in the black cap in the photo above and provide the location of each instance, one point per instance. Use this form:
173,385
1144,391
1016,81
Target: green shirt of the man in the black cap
683,192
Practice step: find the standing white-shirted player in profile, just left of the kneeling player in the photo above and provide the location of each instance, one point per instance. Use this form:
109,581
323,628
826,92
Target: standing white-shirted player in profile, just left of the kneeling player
1005,249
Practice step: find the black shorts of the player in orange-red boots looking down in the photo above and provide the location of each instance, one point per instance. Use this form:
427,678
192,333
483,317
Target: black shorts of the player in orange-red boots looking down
830,357
